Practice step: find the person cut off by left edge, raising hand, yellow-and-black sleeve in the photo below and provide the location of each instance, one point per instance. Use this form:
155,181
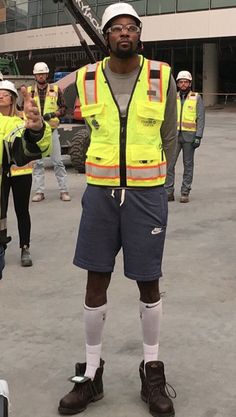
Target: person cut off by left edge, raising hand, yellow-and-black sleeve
21,142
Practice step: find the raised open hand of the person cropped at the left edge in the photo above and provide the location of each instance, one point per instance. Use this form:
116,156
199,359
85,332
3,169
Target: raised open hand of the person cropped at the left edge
34,120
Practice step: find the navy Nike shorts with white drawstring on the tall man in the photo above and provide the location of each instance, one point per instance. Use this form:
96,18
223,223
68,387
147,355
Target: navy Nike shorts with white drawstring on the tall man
132,219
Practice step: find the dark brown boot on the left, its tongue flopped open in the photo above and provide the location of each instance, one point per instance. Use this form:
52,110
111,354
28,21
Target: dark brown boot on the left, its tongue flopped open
84,392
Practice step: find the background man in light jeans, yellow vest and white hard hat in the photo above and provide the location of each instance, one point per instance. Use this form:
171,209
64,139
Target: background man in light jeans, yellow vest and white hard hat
51,104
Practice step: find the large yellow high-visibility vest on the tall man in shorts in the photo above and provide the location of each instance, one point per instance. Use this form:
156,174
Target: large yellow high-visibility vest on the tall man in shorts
125,152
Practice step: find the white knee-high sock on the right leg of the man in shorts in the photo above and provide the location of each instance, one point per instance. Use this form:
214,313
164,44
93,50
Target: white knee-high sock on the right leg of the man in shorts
151,315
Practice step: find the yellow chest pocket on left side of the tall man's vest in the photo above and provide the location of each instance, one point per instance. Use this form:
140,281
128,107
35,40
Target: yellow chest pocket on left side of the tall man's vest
96,117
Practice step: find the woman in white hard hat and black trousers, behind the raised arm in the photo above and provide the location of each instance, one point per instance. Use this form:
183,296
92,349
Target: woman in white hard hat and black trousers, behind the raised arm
19,179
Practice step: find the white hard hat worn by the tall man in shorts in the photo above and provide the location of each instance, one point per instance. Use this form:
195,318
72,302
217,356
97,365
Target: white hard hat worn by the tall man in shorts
118,9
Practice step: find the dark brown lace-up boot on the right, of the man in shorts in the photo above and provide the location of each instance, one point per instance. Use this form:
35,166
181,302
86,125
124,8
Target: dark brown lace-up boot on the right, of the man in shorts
153,389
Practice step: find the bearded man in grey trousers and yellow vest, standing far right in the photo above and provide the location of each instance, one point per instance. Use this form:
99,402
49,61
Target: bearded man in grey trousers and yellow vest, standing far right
191,122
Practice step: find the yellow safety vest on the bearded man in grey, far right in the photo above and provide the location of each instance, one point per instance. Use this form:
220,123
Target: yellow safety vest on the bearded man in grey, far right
187,114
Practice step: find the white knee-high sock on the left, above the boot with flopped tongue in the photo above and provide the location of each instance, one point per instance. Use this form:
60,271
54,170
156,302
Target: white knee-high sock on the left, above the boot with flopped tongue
94,319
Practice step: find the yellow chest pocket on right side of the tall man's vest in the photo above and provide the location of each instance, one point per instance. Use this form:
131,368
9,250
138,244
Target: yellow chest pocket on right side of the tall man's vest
149,117
